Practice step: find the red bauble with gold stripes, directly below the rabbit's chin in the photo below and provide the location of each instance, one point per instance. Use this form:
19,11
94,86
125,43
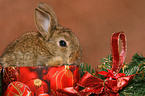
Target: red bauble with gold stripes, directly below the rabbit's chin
61,77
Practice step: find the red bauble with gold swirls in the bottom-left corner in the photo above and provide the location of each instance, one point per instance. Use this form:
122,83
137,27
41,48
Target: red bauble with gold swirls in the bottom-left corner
18,89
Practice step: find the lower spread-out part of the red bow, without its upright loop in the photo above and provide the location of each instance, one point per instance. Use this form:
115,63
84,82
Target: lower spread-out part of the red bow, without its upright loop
96,86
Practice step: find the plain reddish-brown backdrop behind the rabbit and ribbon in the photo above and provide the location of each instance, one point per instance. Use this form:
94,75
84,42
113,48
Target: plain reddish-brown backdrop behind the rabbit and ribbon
93,21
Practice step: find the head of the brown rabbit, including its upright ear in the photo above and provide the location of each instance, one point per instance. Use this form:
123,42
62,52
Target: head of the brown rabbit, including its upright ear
60,41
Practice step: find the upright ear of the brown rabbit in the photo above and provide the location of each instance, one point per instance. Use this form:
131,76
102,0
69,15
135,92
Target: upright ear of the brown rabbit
45,20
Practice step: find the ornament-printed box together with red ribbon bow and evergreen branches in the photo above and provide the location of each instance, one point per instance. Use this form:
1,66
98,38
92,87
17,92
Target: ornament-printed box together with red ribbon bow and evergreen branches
115,77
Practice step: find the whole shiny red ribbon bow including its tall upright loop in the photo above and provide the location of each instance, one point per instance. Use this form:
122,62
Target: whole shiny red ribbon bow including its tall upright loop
114,81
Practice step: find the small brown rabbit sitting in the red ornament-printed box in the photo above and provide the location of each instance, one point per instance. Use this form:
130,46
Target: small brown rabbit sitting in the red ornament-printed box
51,45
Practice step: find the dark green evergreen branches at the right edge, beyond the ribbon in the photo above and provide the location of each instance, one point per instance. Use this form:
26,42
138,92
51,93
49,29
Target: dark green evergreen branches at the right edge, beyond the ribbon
137,66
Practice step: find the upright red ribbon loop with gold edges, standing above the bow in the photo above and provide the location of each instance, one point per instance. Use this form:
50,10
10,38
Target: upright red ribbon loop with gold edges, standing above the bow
118,59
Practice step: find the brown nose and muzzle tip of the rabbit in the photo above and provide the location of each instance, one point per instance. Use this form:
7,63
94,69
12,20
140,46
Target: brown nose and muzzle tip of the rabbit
74,57
